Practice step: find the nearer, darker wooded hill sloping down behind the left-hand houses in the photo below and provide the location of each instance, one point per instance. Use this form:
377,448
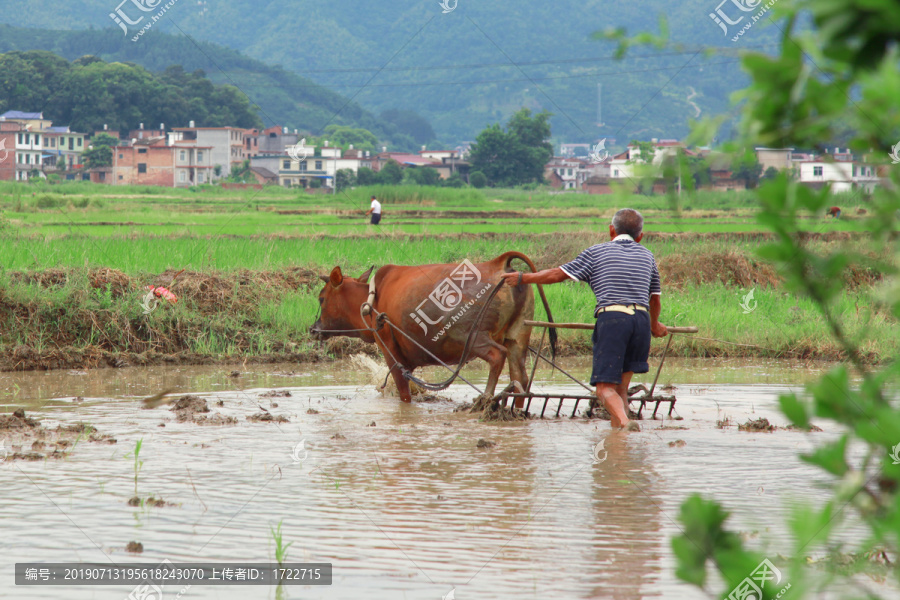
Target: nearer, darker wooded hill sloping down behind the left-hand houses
277,97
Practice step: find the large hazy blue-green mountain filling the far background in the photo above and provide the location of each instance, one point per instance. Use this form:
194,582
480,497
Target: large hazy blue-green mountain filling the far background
462,70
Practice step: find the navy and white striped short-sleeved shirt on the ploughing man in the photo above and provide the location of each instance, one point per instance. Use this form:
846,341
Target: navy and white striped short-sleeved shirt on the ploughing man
619,272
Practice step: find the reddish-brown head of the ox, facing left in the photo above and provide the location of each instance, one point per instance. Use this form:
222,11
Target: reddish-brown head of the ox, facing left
339,304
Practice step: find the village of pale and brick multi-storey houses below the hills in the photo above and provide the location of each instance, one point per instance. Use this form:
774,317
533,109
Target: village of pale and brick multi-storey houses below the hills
32,146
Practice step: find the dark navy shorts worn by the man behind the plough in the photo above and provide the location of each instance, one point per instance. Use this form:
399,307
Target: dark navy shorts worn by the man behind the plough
621,345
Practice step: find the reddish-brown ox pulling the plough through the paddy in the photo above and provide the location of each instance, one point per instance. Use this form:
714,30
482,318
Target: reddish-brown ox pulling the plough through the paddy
438,306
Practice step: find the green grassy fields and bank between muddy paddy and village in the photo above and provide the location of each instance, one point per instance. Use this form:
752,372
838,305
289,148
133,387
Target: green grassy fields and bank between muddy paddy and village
75,259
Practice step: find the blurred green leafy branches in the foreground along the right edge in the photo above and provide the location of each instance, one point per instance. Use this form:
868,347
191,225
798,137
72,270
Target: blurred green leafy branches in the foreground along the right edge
839,82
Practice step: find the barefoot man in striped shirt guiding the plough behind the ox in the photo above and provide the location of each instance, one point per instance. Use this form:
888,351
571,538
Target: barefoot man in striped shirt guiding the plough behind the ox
623,276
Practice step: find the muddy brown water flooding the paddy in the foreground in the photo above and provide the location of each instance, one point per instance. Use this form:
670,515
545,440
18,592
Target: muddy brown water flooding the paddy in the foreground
399,498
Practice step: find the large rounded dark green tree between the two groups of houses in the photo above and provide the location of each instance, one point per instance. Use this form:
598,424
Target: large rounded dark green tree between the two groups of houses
515,156
